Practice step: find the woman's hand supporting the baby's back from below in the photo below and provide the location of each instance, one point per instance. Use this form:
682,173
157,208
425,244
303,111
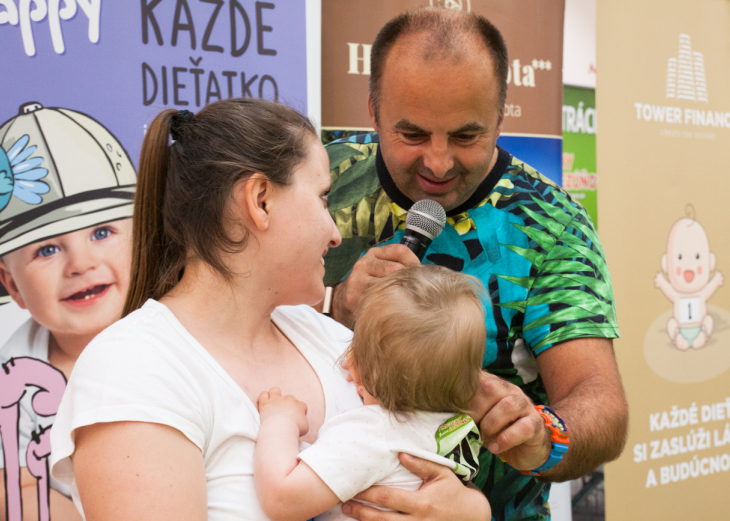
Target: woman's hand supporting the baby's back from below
442,497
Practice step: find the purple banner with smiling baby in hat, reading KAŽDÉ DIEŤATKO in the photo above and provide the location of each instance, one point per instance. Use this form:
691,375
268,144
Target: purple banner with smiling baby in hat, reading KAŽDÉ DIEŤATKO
81,80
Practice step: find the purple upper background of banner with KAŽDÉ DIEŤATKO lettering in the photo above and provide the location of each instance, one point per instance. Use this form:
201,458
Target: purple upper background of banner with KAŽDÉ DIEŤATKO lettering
123,62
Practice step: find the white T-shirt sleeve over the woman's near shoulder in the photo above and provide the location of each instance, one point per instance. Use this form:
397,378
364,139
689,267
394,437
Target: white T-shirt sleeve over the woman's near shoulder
143,368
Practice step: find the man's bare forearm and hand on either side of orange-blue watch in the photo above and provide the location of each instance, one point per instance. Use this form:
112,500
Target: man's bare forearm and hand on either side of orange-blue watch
584,388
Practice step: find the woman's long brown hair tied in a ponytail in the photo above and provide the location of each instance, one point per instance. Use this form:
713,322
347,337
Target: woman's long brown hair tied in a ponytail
183,189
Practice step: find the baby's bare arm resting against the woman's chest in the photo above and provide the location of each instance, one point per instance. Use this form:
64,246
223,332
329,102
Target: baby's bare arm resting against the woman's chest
287,488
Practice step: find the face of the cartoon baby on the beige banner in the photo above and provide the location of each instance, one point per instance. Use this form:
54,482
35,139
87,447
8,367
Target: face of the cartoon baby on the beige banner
688,261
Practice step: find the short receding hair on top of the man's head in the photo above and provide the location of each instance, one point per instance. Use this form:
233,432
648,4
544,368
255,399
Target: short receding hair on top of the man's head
445,26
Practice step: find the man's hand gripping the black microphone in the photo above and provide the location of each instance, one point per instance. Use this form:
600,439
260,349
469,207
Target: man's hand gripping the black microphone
375,264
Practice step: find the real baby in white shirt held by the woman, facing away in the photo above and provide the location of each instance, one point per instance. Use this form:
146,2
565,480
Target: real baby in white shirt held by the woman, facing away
415,357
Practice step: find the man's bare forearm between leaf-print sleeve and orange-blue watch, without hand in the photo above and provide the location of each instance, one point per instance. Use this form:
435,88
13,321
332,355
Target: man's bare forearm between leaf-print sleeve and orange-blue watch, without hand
584,387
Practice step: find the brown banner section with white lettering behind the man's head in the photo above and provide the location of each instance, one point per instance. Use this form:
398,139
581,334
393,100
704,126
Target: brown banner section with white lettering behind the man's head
533,31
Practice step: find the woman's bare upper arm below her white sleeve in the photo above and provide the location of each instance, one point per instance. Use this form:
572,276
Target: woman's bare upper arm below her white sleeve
140,471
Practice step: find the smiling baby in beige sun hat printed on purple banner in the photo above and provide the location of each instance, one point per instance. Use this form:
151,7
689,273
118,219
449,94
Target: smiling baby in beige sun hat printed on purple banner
66,197
